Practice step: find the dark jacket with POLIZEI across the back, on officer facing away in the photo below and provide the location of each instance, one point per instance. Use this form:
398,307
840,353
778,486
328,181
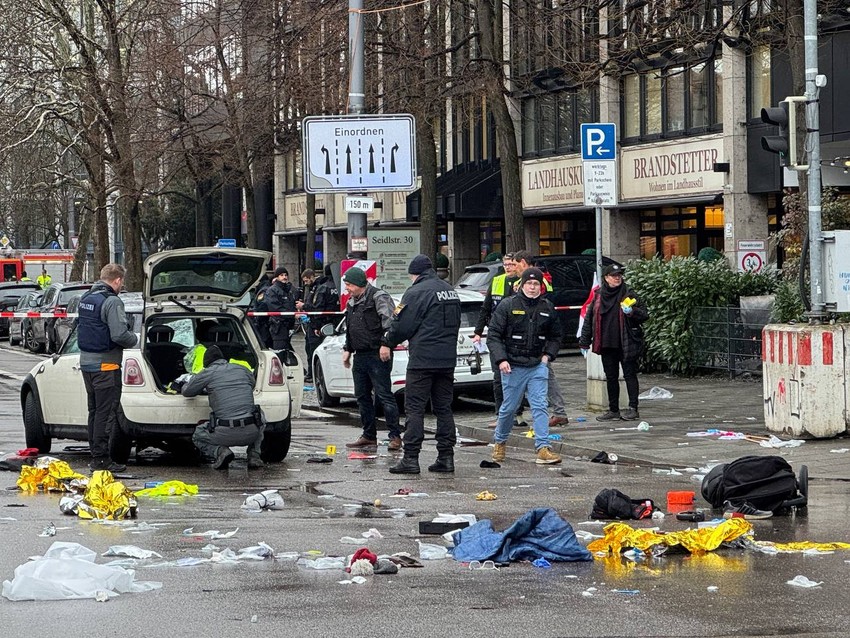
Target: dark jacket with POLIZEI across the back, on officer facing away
428,318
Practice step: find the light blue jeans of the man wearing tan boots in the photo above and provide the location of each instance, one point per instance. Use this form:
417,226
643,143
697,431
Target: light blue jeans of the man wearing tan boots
533,382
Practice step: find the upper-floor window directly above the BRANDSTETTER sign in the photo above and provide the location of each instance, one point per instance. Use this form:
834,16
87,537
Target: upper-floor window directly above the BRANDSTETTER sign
672,102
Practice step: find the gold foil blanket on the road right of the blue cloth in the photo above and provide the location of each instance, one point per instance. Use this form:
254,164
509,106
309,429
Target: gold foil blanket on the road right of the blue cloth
619,536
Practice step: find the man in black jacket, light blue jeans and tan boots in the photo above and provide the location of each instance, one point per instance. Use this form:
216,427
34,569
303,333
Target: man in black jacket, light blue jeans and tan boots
523,337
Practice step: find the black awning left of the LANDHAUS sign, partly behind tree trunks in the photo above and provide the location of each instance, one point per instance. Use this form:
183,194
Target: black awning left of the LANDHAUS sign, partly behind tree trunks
468,191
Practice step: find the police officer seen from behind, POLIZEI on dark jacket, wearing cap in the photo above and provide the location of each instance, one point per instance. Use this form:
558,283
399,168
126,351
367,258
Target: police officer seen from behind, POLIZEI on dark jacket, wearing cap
428,318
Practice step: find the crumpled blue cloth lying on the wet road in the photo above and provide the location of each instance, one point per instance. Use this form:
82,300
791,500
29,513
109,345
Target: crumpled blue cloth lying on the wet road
539,532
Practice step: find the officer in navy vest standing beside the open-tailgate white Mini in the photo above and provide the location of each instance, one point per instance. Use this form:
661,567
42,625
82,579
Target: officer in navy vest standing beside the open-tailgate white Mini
102,335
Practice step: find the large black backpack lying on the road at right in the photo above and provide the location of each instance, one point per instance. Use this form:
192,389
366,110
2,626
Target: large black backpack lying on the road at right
765,482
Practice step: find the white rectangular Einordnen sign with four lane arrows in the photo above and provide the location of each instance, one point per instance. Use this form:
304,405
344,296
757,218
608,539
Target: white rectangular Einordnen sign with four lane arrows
359,153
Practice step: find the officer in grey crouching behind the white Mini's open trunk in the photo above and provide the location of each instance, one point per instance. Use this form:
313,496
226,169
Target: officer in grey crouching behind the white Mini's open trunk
234,419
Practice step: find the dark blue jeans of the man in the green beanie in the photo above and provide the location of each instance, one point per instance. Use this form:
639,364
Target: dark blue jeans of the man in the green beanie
370,373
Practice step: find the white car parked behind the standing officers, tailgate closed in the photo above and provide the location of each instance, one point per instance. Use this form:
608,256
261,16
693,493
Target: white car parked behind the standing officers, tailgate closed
333,381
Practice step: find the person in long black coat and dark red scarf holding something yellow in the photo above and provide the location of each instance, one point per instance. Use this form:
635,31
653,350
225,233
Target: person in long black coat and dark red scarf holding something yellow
613,326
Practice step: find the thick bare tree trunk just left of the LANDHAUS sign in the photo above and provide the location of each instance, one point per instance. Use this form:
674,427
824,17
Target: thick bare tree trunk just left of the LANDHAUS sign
490,36
